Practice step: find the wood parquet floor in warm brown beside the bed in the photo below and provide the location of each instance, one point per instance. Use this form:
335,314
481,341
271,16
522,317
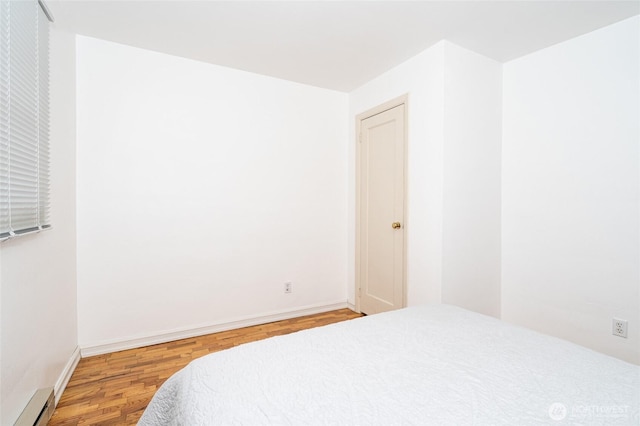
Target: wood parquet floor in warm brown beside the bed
114,389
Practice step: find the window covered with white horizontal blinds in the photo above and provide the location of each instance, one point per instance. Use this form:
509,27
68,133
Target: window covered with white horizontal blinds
24,117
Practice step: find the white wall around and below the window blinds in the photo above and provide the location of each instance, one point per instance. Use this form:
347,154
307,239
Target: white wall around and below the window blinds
38,272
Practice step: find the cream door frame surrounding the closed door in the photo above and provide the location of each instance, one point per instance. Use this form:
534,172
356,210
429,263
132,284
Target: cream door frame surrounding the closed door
401,100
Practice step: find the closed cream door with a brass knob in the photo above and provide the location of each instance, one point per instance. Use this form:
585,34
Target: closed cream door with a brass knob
380,266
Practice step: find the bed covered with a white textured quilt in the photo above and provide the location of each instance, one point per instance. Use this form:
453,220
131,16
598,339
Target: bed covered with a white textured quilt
425,365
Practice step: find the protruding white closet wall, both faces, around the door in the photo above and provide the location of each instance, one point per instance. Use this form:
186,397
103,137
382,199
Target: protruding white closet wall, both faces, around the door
453,185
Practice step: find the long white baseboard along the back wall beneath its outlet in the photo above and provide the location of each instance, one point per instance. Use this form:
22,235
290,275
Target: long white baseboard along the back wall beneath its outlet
121,345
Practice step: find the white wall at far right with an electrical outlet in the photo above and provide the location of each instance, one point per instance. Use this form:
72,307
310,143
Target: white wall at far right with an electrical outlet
570,234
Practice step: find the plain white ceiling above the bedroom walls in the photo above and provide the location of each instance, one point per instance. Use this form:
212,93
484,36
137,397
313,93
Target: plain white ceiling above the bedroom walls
334,44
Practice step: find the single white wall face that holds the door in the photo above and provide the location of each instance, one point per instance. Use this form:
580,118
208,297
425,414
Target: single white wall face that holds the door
422,78
